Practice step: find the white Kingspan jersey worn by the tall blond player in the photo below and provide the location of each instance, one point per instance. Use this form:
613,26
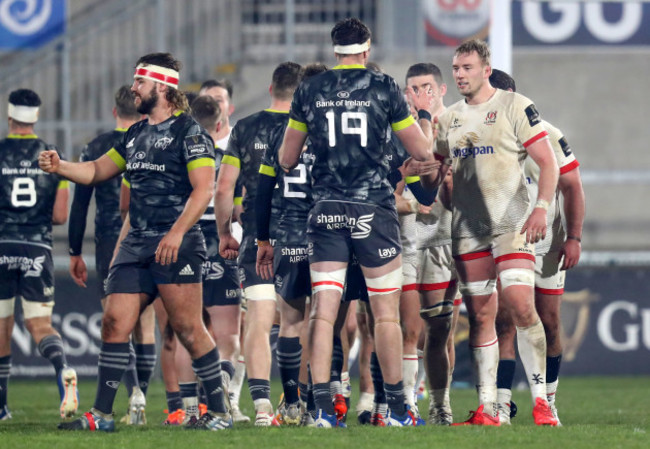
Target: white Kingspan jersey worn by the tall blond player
485,145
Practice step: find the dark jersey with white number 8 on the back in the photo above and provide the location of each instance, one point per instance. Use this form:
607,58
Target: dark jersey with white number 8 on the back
28,193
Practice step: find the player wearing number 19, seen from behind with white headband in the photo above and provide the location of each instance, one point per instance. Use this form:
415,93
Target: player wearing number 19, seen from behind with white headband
346,112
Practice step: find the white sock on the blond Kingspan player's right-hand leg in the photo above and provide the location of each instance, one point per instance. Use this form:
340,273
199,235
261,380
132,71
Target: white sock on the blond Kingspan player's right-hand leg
531,342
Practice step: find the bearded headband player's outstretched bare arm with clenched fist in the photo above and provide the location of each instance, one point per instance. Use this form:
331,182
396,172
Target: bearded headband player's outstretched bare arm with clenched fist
91,172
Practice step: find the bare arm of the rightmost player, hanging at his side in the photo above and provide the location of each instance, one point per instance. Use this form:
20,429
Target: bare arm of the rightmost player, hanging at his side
570,185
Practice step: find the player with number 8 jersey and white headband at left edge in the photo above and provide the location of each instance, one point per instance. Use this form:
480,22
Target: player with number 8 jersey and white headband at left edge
31,203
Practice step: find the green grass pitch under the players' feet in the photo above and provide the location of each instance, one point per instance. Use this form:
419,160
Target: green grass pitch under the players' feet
596,412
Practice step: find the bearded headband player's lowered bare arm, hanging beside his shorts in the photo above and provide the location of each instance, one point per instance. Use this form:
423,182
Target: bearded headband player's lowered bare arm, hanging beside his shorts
202,180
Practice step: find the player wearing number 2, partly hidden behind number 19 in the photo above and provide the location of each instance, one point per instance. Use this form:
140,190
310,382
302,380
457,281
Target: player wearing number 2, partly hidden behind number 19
286,262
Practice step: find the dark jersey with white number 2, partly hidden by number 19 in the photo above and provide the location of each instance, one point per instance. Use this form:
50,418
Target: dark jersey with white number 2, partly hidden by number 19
292,198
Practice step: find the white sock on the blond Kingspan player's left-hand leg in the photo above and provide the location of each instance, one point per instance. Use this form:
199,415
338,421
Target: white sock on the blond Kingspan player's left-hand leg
485,360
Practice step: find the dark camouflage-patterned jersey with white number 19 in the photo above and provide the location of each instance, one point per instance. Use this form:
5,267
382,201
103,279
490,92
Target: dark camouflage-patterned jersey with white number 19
347,112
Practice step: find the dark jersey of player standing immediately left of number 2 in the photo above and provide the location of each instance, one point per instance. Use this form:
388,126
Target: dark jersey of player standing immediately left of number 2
250,138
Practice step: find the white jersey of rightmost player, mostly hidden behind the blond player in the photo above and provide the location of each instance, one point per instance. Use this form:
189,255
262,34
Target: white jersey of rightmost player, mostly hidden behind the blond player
555,233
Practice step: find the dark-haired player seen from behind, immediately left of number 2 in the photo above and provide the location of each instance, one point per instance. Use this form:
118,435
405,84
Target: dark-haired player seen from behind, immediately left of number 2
250,138
